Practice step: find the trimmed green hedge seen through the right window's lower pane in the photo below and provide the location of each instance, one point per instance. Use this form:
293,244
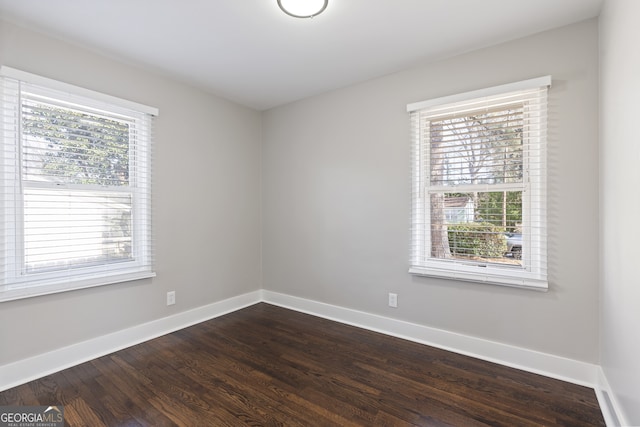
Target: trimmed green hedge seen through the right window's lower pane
477,239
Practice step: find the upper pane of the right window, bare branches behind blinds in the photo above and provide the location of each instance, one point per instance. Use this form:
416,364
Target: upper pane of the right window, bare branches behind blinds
479,148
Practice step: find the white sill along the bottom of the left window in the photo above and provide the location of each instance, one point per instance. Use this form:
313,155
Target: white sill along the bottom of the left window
16,292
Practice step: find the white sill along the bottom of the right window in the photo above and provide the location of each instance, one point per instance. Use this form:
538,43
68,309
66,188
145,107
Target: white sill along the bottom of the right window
490,276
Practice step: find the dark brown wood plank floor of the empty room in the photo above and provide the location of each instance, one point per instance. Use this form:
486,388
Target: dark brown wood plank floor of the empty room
266,365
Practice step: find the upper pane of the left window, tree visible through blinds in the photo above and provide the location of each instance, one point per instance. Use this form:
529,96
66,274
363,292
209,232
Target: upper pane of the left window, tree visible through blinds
66,145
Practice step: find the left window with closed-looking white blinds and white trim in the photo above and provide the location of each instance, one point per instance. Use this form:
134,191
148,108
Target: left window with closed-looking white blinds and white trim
75,187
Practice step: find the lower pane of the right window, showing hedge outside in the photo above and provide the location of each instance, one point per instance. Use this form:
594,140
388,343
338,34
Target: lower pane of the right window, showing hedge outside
481,226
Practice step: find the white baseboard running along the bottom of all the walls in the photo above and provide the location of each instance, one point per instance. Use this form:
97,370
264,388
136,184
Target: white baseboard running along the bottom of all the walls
549,365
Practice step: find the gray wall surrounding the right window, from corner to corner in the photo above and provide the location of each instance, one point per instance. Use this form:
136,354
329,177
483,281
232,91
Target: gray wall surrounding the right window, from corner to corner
336,190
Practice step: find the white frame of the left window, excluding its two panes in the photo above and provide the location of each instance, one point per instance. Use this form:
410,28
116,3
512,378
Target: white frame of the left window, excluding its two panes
15,281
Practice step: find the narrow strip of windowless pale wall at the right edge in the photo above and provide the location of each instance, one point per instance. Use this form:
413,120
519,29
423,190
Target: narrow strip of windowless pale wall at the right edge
620,202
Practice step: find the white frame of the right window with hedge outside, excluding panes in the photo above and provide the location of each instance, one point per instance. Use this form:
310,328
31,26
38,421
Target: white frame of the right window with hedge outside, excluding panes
533,273
